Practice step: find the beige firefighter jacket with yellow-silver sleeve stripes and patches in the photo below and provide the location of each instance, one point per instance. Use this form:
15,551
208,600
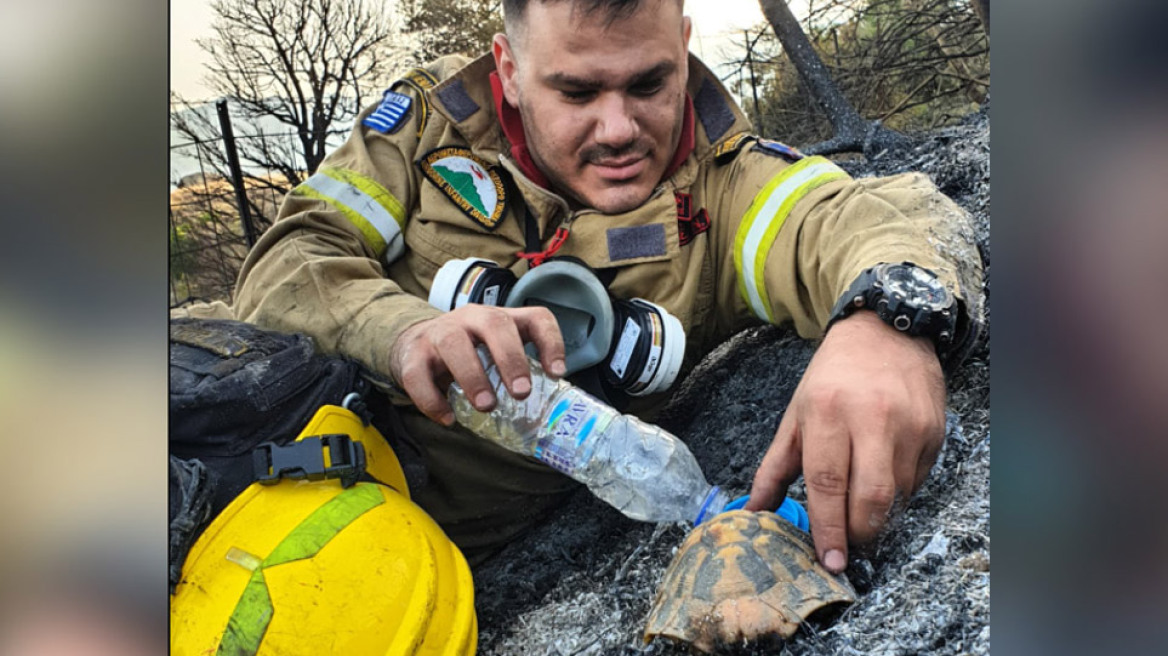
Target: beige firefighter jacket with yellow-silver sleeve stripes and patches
738,236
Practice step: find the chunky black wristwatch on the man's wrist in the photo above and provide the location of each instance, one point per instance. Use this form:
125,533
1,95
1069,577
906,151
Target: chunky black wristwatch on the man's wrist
908,298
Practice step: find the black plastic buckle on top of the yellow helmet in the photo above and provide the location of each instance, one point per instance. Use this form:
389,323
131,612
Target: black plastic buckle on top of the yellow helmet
305,460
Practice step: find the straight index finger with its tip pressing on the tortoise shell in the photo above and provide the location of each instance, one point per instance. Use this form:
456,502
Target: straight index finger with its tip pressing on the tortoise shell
826,460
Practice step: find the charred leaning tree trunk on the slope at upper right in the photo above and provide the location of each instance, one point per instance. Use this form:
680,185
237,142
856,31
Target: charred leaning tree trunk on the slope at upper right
851,131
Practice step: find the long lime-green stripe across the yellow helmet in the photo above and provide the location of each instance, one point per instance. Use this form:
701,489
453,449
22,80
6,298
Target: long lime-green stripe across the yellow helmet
254,612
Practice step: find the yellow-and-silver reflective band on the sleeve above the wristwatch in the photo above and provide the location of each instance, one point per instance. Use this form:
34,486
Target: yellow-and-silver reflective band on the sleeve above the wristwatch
761,226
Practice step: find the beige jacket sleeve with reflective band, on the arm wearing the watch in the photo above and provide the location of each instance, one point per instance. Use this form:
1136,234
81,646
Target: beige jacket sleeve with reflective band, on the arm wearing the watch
794,236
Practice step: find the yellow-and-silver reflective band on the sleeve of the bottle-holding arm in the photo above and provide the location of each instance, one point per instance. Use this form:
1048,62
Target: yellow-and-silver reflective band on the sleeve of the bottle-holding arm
366,204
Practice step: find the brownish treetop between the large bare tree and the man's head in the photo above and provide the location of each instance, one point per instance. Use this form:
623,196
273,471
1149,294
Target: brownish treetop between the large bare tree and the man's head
450,27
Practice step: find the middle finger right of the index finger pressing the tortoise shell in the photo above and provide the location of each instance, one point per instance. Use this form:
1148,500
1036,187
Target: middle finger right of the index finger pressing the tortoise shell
874,486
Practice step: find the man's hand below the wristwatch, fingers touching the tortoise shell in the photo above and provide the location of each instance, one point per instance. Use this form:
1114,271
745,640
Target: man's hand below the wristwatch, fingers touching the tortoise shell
865,427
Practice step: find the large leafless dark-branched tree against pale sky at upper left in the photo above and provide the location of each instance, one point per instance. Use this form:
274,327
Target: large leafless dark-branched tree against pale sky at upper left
295,73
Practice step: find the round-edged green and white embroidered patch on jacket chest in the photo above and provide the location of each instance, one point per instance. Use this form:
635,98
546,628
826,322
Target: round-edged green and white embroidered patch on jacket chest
469,182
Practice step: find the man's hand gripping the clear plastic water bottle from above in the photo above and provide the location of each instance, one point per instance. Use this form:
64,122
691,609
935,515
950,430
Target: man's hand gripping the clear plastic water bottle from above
430,354
